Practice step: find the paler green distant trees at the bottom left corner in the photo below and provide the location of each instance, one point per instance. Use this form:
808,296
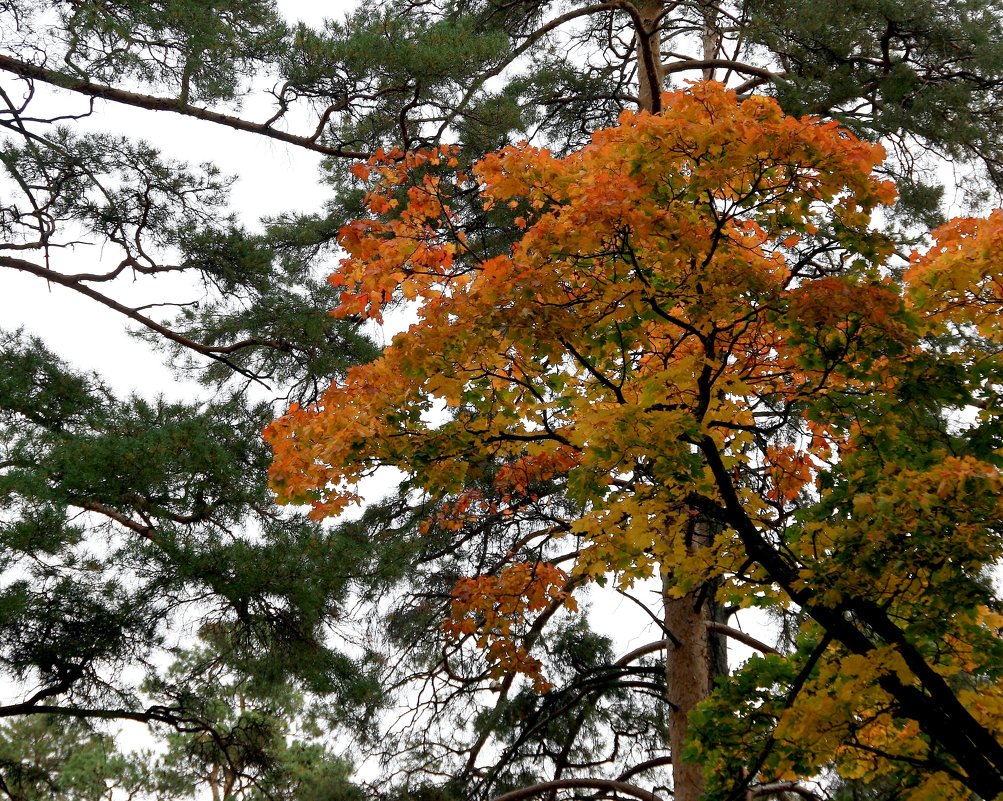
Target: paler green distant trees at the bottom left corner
257,743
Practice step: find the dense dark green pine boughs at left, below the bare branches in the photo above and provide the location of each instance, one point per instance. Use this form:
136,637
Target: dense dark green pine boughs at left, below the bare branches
124,518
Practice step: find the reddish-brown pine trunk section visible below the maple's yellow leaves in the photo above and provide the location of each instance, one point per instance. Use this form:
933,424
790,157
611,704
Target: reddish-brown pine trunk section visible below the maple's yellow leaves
691,666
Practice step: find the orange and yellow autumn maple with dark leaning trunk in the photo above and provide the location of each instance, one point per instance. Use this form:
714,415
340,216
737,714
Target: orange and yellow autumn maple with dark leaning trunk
693,319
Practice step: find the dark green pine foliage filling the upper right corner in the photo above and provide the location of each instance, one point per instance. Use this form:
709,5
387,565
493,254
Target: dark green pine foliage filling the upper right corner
917,75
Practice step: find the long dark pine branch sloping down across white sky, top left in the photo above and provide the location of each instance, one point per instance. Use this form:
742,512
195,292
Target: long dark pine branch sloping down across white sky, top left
153,103
